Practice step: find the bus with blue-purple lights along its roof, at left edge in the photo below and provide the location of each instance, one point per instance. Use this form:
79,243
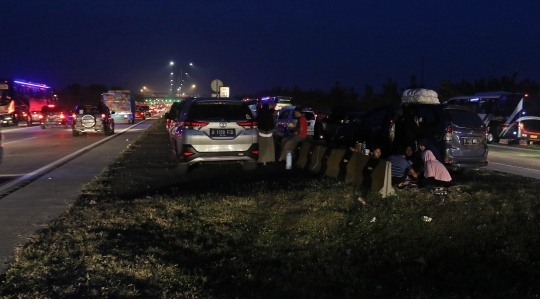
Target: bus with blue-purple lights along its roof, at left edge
20,98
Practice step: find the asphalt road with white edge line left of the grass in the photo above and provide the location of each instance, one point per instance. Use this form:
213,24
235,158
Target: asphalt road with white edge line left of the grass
43,174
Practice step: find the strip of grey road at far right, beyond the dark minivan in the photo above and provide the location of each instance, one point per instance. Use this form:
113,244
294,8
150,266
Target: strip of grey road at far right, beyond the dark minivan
514,160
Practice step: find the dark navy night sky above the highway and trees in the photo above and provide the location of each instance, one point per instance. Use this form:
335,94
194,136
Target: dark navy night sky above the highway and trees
254,45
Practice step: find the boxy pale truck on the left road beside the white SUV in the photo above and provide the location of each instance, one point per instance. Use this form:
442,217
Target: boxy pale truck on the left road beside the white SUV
122,103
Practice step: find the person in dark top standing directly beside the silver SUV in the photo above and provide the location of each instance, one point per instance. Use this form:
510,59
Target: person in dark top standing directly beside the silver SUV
265,125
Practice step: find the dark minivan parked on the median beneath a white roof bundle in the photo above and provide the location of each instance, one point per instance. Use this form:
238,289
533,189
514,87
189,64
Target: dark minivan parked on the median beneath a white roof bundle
457,132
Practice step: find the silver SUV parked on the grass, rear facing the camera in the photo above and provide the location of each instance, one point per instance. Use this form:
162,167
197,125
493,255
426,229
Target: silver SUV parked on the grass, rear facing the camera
215,130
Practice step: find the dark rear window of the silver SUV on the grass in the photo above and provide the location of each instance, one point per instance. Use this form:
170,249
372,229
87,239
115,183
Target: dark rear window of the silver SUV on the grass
219,111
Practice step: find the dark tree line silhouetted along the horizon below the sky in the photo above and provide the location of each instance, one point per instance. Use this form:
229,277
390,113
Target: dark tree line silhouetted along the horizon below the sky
339,95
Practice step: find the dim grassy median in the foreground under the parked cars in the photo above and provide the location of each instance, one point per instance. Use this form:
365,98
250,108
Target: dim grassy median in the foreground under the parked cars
142,231
